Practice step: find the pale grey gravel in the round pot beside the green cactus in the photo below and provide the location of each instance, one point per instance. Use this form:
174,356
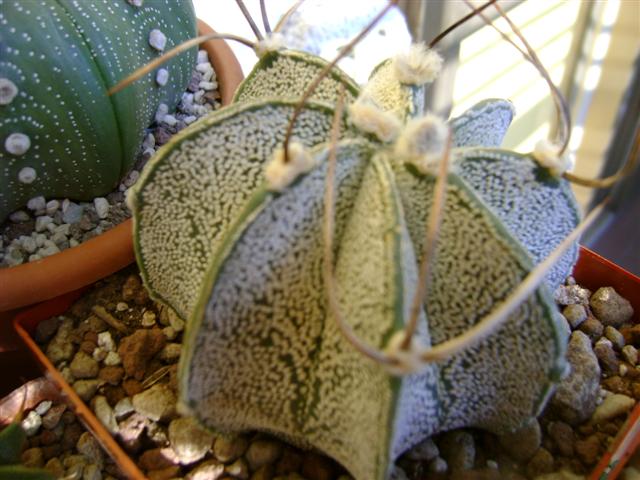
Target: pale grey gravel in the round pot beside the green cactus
48,226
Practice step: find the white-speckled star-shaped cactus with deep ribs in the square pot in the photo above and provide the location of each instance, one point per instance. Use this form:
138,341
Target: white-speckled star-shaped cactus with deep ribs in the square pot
244,264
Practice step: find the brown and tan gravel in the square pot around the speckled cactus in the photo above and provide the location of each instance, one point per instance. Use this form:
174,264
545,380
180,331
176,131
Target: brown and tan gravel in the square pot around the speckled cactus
119,350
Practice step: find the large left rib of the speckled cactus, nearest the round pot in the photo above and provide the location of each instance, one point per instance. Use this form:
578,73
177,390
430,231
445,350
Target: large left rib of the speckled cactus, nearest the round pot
196,184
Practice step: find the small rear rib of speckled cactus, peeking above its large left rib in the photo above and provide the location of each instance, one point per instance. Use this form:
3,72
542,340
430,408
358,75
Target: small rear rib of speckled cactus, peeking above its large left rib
288,73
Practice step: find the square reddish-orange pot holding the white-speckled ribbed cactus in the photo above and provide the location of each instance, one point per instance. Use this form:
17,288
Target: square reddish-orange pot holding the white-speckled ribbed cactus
592,271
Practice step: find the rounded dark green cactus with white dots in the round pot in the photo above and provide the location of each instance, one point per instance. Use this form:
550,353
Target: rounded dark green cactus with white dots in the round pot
61,134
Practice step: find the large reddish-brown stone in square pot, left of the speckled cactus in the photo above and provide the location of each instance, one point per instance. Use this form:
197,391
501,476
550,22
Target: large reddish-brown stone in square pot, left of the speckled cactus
138,349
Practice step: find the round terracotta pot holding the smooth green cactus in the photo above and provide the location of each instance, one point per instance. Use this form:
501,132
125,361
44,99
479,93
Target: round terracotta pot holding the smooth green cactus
75,267
